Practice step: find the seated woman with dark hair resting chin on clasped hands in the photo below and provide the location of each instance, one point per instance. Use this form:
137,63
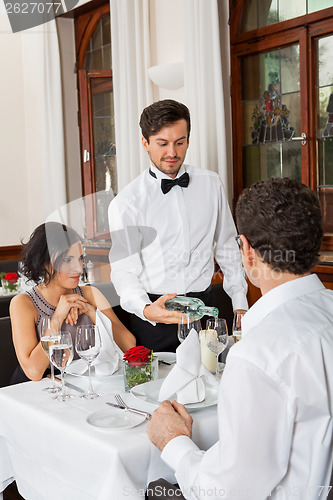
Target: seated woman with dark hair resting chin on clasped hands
53,259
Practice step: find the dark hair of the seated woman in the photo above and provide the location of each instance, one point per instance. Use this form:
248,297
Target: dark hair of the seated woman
45,250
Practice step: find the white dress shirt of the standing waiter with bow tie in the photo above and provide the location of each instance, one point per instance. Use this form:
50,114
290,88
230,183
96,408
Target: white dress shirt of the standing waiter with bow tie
166,243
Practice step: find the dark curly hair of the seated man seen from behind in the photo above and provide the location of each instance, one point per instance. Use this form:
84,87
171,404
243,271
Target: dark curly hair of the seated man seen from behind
281,219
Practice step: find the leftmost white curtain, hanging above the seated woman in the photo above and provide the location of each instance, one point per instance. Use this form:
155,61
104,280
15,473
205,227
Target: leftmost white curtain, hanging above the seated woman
45,160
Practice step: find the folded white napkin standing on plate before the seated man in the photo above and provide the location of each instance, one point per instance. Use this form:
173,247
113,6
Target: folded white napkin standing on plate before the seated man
188,378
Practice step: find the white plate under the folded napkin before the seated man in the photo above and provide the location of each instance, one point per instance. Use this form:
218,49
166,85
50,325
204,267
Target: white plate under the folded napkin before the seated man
149,391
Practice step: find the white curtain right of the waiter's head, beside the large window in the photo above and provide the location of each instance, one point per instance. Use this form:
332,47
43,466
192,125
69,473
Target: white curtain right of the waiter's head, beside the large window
203,87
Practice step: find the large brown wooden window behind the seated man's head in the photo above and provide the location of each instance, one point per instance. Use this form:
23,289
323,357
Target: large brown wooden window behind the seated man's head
282,96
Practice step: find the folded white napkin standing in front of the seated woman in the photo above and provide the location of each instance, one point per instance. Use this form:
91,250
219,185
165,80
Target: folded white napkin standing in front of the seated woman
109,359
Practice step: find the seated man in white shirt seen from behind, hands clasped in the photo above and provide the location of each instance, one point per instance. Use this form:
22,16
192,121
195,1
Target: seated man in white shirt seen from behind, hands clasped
276,393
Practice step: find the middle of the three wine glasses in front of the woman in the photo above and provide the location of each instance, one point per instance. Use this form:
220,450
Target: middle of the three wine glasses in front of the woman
61,355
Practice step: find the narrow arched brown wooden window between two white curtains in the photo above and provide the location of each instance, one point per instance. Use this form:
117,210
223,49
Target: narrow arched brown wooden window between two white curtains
96,117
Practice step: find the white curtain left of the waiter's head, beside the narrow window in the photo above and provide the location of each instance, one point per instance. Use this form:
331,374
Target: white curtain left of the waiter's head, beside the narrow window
132,86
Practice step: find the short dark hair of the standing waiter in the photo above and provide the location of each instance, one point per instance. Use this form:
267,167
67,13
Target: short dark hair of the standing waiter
163,114
